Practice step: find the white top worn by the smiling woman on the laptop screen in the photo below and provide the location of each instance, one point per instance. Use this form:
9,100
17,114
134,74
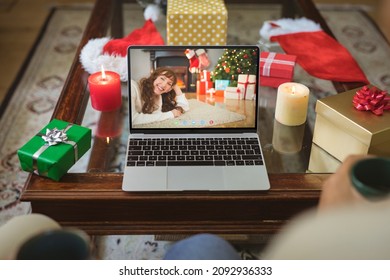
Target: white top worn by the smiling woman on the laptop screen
141,118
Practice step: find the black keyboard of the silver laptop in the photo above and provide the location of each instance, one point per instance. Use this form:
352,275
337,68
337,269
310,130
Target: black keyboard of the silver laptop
194,152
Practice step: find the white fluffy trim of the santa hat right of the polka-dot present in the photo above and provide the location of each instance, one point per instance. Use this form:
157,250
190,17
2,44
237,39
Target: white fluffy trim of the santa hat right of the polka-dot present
287,26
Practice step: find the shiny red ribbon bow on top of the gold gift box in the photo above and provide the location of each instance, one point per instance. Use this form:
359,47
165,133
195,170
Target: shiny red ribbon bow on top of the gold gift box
371,99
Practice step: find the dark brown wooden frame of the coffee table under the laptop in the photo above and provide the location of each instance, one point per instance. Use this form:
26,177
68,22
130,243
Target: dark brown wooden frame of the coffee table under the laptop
95,202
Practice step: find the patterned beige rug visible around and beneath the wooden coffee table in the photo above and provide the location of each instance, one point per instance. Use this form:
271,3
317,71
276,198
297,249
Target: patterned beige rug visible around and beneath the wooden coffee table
34,98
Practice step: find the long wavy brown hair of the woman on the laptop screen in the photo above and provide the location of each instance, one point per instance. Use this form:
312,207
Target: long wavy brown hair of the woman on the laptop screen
147,92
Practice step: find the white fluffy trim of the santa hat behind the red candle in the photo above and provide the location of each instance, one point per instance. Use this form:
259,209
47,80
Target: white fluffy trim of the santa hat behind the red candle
92,58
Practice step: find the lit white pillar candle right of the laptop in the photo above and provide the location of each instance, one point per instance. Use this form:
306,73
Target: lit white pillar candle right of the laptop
291,104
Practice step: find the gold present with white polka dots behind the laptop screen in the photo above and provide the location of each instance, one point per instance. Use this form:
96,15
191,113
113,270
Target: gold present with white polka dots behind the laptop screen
193,22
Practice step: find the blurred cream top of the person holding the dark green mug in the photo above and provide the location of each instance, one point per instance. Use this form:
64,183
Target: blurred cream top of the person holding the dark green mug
346,232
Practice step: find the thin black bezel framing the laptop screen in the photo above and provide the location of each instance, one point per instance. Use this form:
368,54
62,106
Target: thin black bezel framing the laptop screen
186,130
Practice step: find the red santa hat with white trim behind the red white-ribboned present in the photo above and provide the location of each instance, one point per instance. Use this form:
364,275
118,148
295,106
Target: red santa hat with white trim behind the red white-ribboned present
317,52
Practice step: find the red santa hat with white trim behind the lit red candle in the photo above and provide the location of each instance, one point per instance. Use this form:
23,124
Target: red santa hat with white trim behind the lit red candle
112,53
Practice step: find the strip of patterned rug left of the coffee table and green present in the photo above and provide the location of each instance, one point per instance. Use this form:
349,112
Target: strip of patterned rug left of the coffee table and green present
33,102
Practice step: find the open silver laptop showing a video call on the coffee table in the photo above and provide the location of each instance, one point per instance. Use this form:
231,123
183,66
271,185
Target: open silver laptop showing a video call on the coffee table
212,145
